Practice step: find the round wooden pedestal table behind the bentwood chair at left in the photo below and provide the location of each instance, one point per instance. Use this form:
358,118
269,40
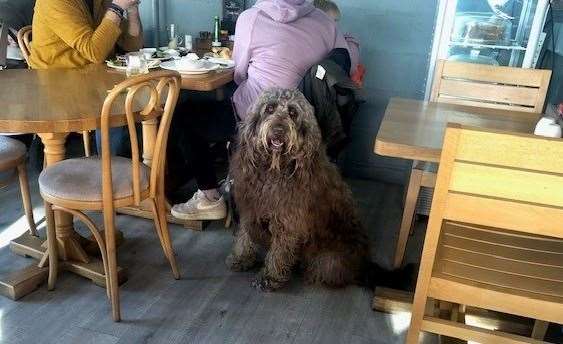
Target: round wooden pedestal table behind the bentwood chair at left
52,104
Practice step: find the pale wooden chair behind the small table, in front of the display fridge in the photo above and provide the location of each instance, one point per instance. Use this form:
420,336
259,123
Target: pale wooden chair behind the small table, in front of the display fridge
507,88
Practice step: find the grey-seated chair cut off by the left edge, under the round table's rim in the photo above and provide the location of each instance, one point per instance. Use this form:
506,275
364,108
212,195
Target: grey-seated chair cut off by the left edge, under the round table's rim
13,157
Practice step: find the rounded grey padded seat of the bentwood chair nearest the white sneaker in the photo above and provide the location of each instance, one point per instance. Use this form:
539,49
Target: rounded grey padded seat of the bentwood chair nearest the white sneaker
81,179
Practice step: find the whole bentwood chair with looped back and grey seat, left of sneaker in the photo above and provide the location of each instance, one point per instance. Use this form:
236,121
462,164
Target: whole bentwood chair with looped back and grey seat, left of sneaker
94,184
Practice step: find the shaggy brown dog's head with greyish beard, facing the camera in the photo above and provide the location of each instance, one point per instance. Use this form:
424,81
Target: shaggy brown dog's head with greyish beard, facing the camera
282,127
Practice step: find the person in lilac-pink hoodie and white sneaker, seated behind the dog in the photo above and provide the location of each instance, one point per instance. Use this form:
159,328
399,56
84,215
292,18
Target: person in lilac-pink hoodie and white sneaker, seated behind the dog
276,43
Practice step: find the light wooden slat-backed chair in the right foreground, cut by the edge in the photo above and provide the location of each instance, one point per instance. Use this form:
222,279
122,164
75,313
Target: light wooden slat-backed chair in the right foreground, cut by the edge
495,235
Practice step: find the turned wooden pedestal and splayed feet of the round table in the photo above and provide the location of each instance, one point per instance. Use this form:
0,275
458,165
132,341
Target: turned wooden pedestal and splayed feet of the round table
74,257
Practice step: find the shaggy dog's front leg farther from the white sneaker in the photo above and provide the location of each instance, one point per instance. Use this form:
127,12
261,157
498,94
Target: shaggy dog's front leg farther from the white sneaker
280,260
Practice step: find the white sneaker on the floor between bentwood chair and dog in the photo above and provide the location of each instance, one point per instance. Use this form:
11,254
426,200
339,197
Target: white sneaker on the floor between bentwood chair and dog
199,208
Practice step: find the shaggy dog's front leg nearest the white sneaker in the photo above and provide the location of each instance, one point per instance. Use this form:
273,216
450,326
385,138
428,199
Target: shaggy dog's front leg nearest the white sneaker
243,256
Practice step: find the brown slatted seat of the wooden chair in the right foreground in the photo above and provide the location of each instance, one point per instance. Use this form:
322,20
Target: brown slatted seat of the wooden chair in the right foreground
526,266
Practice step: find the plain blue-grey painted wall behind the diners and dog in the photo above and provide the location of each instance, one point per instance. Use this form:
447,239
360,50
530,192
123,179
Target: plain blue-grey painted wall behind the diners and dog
395,36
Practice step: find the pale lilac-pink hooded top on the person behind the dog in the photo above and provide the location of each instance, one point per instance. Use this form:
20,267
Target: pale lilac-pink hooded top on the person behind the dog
276,43
